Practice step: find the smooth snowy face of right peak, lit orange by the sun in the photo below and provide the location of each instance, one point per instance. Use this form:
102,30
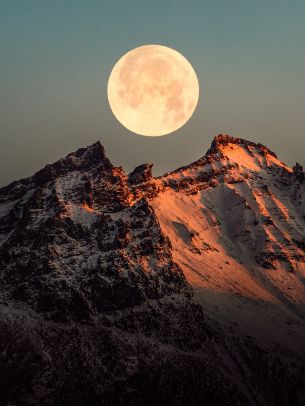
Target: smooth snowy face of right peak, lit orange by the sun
236,221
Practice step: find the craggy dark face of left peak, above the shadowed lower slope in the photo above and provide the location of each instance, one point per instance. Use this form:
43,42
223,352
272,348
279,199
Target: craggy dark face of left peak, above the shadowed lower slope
72,243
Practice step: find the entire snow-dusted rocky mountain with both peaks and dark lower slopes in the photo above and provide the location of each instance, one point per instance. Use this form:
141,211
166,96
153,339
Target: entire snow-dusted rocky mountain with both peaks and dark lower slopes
130,289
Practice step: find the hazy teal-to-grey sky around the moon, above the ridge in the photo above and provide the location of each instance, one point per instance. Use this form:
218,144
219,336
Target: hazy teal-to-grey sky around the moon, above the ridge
56,57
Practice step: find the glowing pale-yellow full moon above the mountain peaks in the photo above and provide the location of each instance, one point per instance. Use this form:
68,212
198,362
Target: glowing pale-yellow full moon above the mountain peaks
153,90
